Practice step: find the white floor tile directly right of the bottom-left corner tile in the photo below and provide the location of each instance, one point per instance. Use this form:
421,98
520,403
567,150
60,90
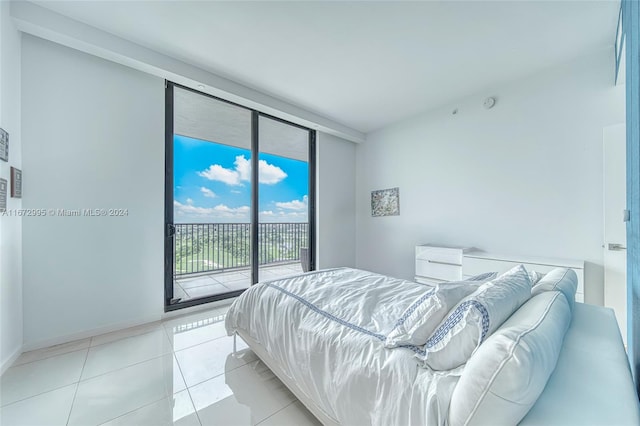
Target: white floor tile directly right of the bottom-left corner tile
113,394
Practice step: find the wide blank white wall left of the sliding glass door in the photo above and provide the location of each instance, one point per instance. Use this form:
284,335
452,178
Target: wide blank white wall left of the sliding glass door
93,137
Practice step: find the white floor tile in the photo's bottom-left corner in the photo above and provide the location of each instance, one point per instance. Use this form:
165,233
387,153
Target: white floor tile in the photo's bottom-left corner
50,408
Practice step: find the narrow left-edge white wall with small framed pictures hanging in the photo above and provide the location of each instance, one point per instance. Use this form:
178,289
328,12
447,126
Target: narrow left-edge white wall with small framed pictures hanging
10,226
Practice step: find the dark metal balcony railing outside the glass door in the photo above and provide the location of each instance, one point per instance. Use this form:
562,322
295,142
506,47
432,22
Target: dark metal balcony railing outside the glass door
209,247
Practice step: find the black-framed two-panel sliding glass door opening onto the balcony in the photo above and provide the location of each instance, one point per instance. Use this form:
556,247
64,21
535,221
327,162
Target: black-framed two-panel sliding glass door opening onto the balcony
238,198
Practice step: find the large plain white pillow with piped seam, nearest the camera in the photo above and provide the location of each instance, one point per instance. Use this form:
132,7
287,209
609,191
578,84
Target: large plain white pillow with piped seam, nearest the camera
509,371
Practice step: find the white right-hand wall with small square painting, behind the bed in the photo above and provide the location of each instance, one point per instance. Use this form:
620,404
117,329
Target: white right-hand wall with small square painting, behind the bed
522,178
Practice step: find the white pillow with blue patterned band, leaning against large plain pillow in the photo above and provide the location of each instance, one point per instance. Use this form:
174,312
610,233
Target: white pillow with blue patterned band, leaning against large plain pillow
475,318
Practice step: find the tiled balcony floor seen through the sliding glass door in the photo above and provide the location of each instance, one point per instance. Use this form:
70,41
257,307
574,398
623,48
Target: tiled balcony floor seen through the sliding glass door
224,282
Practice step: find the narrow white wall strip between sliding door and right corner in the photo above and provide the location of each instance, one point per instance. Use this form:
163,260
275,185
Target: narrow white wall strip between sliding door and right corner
335,202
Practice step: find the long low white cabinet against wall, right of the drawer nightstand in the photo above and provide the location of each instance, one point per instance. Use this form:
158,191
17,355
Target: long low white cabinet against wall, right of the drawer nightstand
477,262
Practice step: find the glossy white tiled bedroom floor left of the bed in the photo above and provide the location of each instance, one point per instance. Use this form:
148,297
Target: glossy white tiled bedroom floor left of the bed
182,371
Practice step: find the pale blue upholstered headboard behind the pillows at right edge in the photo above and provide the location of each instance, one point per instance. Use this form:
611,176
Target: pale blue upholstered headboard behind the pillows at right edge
592,382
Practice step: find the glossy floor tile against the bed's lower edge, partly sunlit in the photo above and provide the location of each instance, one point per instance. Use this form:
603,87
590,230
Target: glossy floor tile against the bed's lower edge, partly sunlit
246,395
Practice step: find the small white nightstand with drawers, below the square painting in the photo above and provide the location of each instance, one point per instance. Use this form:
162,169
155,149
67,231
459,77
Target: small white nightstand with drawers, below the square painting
436,264
